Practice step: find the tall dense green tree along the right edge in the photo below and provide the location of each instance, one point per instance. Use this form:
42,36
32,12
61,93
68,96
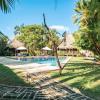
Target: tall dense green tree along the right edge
88,12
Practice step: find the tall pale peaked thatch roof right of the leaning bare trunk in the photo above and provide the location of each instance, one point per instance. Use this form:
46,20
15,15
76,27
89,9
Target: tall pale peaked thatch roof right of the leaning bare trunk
67,42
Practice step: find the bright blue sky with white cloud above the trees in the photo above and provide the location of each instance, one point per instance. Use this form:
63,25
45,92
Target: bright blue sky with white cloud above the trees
29,12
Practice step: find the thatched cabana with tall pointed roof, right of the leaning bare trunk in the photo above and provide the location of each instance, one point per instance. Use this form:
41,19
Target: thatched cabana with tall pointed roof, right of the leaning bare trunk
67,45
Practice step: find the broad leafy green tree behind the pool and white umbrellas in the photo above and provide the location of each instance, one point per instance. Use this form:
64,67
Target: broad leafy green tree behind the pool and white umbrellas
34,37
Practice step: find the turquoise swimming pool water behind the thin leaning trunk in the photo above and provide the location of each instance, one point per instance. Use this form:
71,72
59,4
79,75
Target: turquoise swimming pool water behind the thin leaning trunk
44,60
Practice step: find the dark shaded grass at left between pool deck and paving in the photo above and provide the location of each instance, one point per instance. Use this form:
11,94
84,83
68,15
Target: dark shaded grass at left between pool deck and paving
9,77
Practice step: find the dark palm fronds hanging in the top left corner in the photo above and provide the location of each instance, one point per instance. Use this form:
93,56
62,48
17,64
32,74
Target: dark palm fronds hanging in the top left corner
6,5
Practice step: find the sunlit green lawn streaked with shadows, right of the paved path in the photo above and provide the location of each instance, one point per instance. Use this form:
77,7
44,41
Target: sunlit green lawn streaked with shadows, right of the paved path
82,74
